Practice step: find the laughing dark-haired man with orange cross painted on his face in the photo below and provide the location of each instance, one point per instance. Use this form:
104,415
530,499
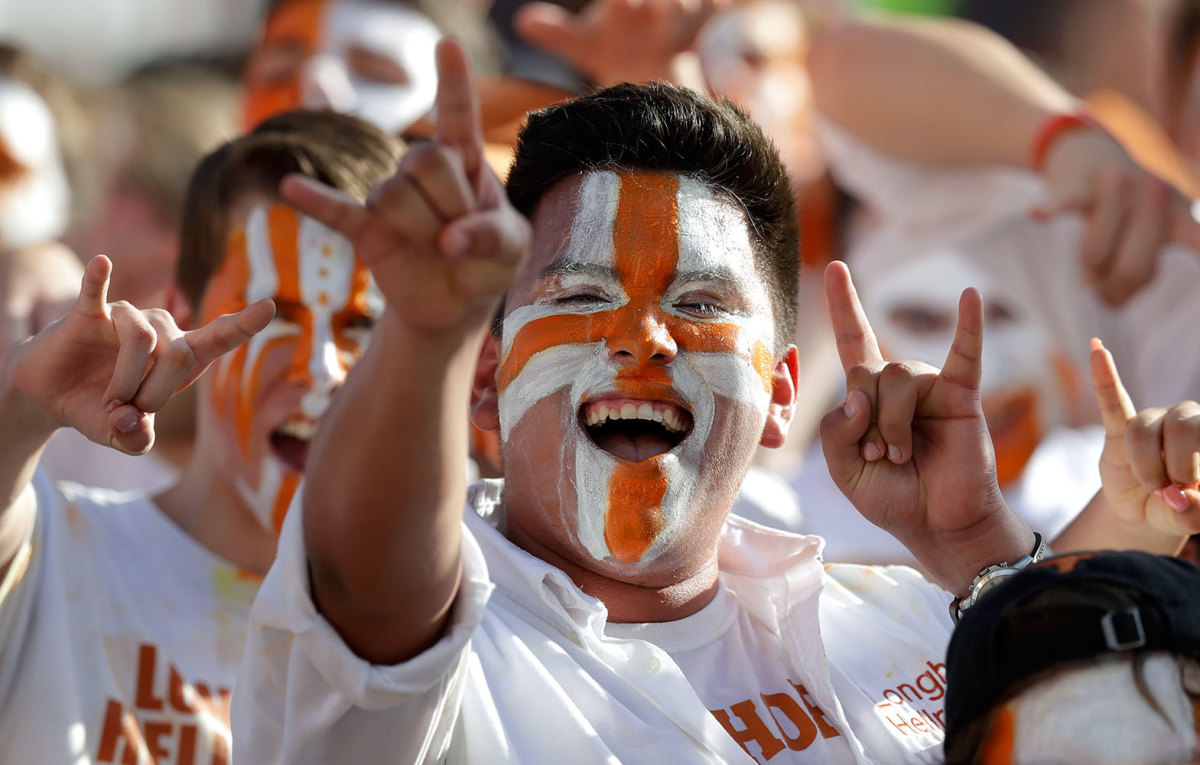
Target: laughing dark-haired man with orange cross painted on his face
601,601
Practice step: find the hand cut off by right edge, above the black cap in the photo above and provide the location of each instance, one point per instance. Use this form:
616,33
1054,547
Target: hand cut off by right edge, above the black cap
1151,462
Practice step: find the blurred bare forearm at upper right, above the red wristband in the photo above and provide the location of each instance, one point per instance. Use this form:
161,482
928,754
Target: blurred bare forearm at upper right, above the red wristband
934,91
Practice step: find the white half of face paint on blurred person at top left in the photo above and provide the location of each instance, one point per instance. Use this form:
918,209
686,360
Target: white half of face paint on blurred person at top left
364,46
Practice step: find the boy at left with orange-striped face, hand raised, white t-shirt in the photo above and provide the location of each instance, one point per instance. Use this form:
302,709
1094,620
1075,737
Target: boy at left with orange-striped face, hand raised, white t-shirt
123,616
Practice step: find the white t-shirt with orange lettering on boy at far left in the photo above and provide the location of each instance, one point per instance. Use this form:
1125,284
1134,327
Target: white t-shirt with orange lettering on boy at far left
121,636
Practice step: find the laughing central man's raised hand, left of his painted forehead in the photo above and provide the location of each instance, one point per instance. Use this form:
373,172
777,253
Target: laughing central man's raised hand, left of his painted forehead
440,237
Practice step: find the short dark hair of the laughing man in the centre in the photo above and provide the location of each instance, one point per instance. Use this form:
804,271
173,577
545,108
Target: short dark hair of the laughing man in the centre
668,129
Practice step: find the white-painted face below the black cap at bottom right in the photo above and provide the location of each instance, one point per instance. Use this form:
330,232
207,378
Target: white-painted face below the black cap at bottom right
1096,714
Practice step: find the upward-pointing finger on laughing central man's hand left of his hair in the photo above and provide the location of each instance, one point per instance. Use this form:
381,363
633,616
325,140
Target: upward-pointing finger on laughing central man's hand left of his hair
459,124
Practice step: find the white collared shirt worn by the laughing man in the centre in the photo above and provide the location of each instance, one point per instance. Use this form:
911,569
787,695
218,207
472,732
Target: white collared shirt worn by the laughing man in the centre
526,672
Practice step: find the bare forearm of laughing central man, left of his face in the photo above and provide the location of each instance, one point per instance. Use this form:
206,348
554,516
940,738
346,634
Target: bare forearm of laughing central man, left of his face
385,492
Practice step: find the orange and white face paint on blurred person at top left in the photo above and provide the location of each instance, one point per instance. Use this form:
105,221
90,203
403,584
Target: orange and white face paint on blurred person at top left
365,58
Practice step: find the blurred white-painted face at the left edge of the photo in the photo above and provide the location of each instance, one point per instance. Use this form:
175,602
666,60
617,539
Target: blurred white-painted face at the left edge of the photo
34,192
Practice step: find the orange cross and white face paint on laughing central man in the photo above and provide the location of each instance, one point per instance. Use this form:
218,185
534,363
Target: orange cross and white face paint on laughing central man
652,312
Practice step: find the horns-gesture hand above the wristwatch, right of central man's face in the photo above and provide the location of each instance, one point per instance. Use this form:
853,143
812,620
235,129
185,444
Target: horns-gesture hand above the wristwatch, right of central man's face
910,447
